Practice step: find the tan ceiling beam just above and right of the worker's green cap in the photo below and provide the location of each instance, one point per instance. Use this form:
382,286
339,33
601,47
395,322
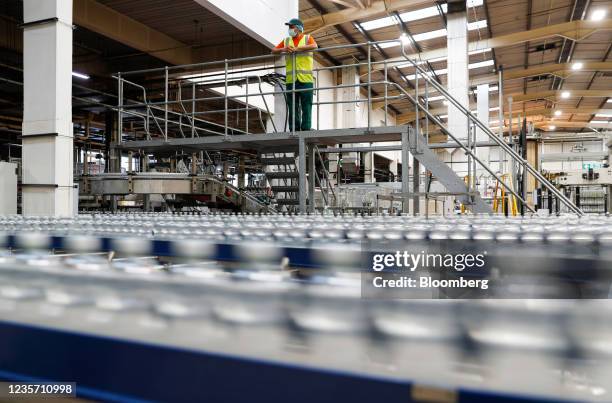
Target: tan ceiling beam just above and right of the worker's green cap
350,14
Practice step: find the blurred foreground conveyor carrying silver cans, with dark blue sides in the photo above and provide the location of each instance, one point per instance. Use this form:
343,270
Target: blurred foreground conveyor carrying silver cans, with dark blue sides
190,308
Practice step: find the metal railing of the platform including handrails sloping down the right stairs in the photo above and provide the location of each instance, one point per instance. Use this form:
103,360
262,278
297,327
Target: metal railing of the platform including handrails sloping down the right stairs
202,102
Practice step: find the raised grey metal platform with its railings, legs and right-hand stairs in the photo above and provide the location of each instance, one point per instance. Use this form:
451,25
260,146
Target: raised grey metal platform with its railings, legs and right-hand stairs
175,119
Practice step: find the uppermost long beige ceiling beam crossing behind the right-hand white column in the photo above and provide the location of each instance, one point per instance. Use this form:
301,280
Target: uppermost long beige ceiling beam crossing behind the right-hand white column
575,30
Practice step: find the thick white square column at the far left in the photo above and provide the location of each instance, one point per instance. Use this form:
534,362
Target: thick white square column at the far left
47,115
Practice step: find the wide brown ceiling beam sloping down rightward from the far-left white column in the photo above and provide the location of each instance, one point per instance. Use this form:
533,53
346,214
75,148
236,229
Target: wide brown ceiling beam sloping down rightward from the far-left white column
105,21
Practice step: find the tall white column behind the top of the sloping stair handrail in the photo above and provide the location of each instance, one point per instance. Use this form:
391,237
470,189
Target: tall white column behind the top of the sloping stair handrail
457,43
